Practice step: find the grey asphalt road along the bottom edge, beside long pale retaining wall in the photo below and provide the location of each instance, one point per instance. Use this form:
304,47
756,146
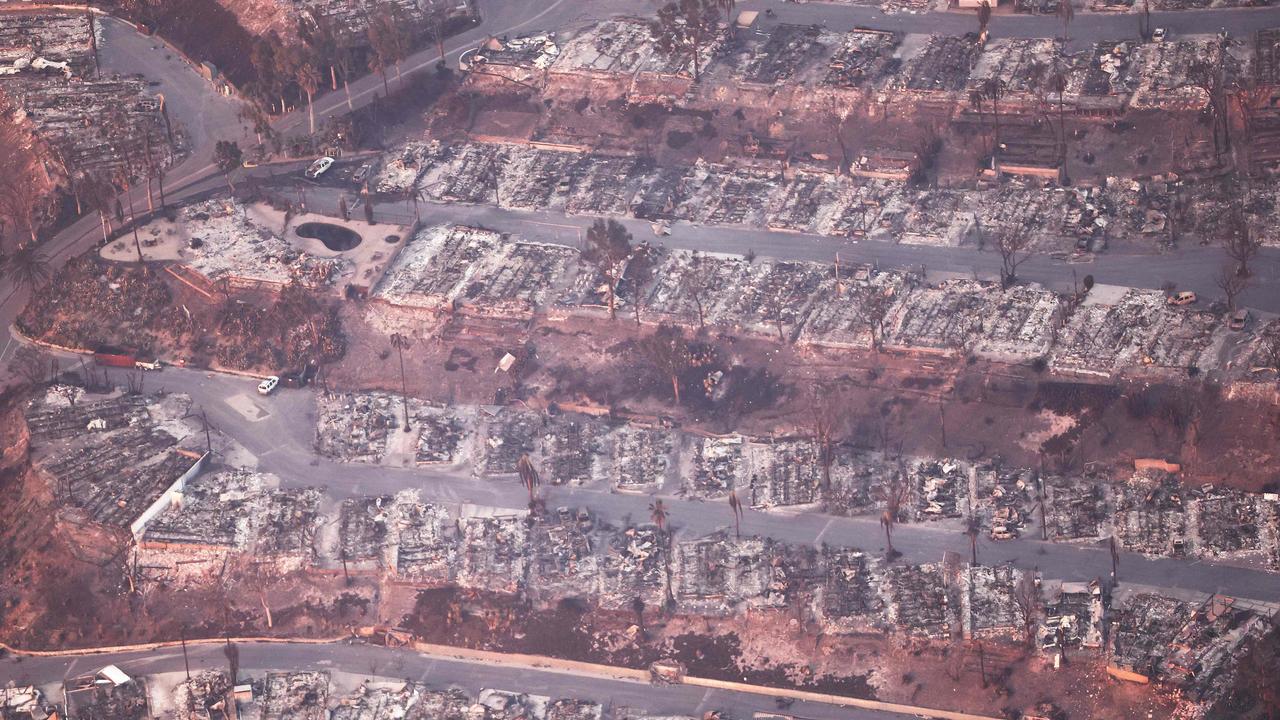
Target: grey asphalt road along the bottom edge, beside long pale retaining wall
437,672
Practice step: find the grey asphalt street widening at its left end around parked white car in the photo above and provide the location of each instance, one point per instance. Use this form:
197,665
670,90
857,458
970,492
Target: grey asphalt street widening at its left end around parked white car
284,443
